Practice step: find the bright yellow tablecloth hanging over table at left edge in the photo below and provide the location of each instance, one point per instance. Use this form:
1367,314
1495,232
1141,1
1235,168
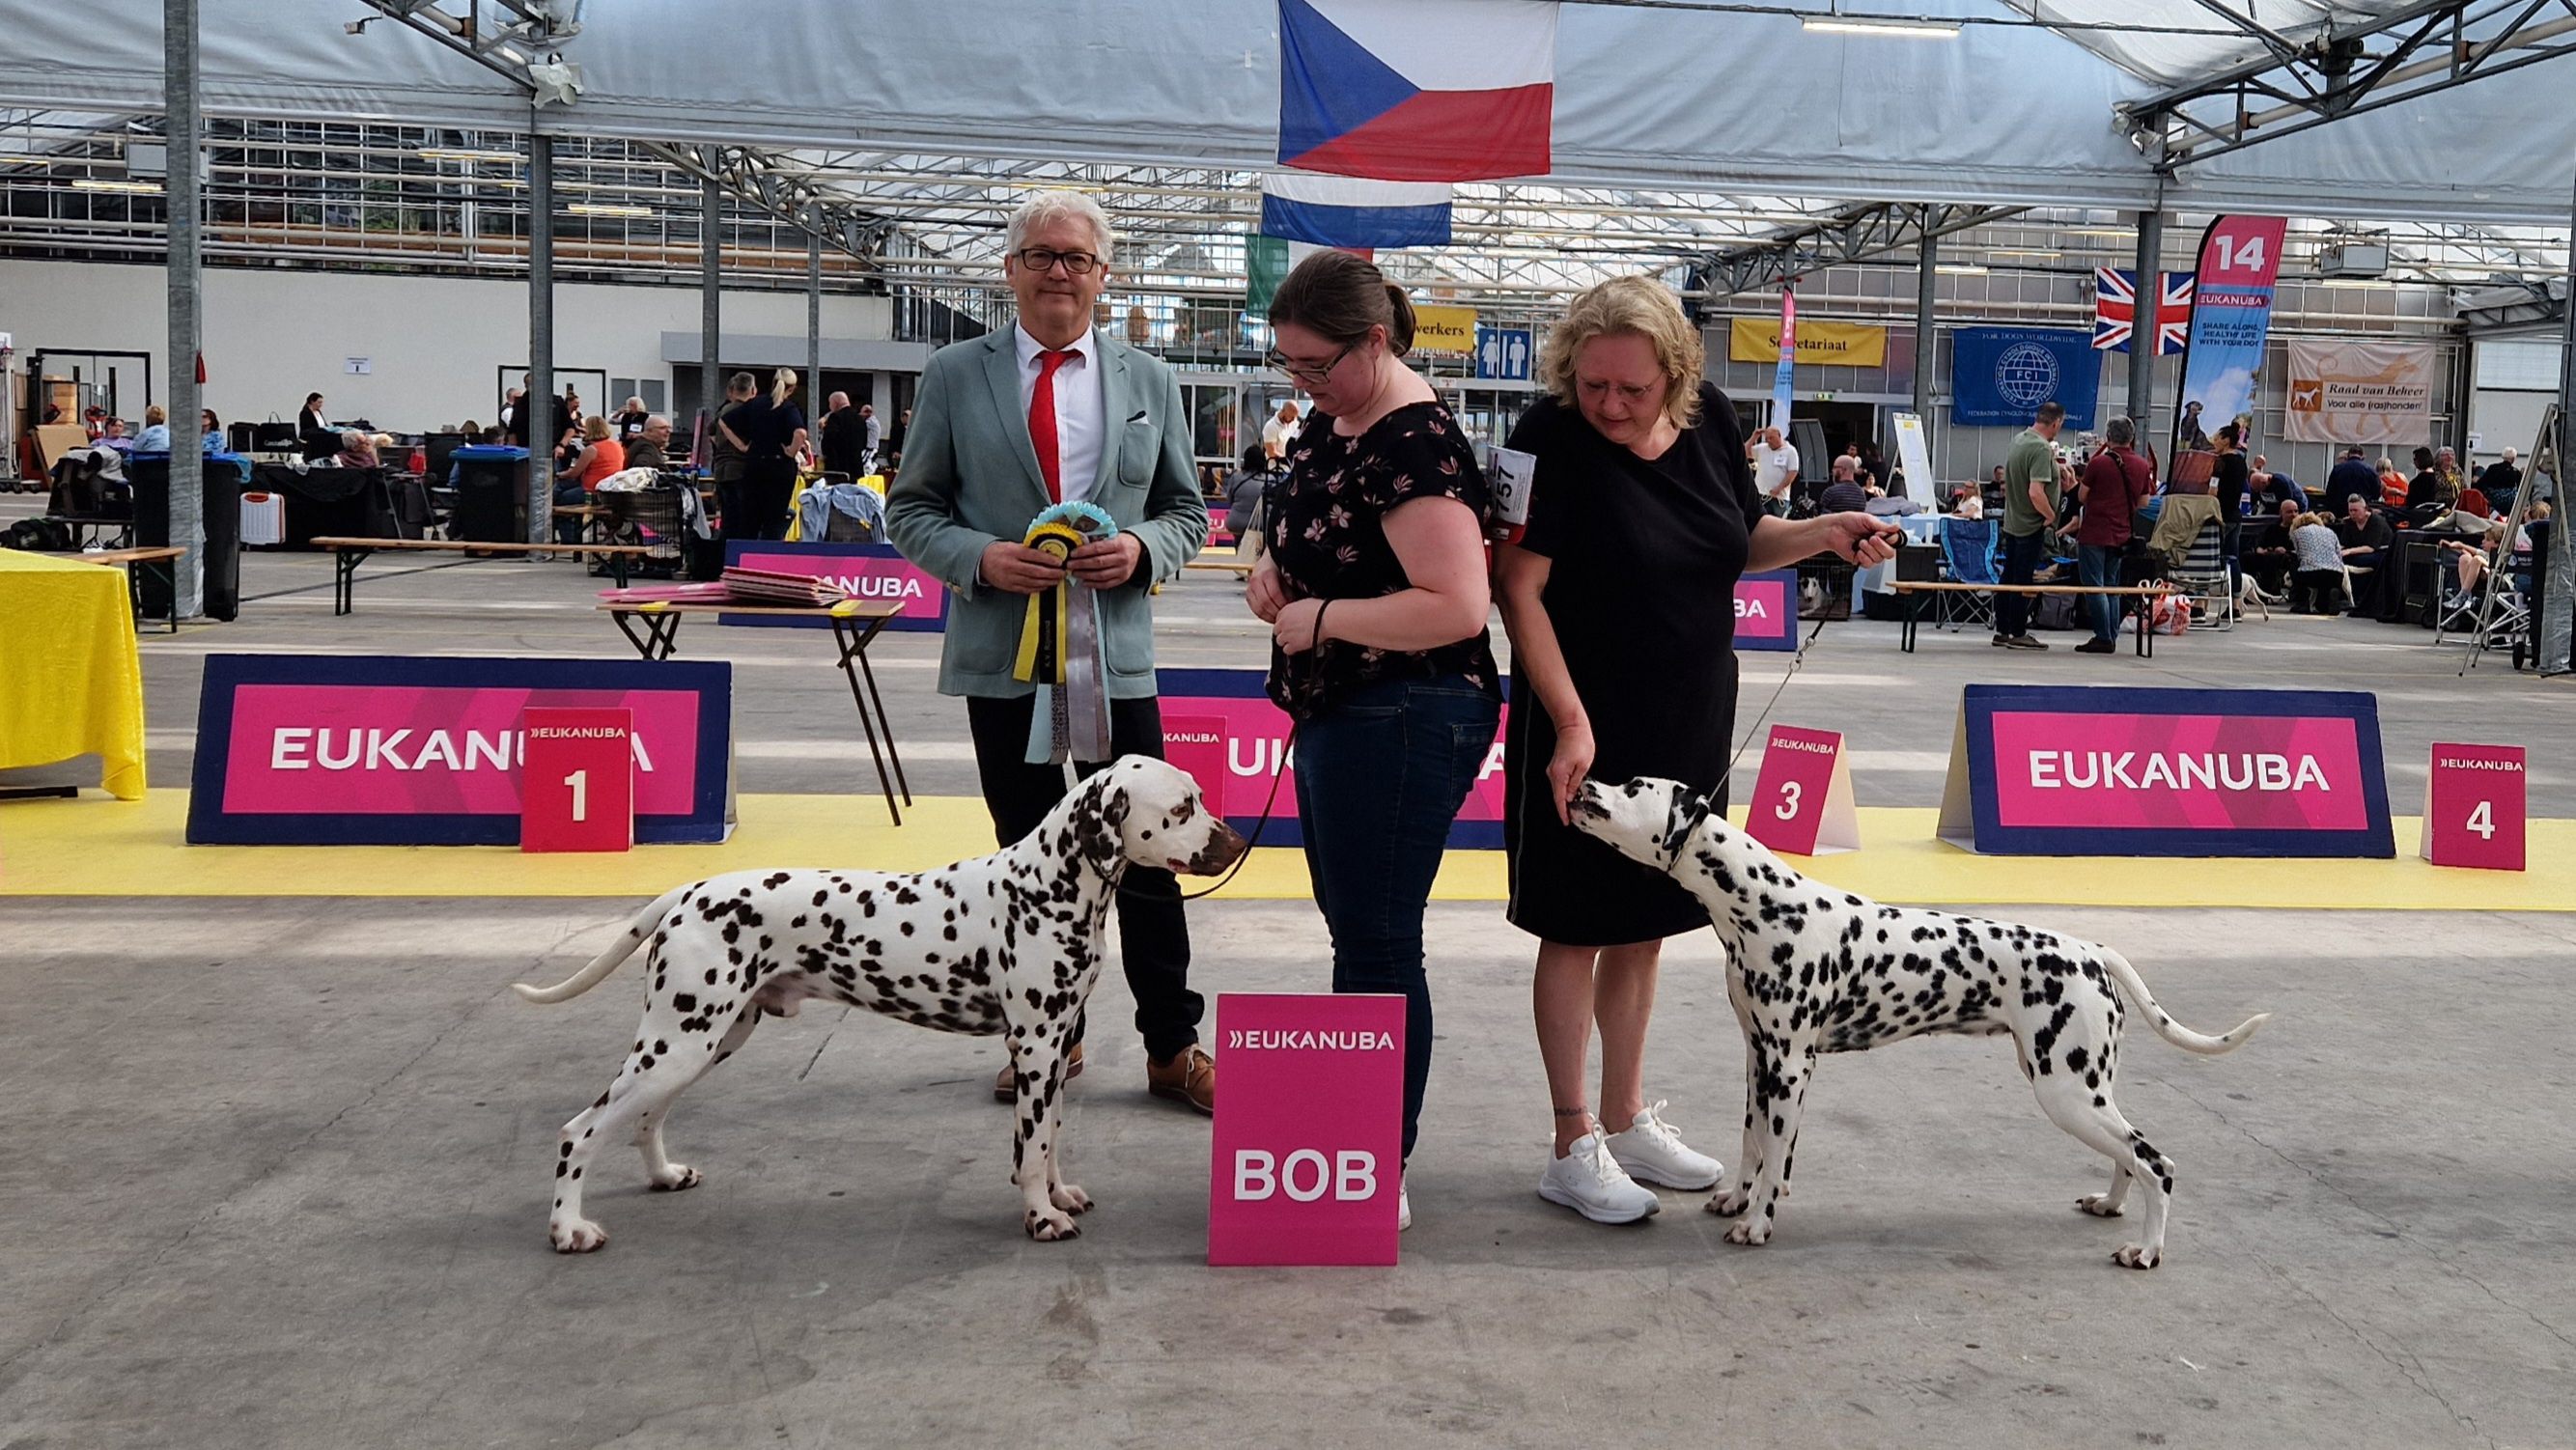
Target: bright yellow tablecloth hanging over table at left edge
71,681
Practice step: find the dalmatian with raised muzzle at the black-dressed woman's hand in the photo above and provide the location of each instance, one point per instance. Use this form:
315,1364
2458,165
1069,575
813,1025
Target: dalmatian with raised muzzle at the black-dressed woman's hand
1815,970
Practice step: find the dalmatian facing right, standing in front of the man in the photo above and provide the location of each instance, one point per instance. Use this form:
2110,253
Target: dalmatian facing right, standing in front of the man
1009,944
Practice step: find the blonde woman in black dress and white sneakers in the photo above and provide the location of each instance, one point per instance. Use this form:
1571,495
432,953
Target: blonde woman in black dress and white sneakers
1622,609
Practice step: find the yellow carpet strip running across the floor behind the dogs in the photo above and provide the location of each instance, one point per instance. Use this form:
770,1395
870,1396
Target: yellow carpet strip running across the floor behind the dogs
138,849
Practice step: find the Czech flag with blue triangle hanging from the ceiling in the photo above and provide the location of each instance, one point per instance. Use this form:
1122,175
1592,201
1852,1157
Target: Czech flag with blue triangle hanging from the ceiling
1418,89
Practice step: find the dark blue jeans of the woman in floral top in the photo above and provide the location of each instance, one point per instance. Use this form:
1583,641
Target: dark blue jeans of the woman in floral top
1379,779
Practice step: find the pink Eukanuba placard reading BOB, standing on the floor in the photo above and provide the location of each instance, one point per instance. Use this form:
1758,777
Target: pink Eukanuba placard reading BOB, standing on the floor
1310,1132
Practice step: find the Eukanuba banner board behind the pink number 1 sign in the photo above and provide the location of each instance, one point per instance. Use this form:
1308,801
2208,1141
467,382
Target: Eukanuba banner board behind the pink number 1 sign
395,751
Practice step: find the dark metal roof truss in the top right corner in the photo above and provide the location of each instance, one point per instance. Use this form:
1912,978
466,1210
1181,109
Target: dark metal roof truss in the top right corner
2345,71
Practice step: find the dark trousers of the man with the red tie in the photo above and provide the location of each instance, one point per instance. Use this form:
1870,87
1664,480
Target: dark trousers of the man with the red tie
1153,934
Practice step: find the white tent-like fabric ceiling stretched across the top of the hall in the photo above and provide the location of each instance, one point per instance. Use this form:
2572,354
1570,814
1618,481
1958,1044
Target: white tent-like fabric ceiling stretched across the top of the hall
1647,97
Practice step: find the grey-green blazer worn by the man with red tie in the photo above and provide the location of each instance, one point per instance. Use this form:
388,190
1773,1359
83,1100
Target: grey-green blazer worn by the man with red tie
972,475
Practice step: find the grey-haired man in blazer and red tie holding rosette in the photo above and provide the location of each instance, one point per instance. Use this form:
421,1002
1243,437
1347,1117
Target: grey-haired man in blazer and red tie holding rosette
1006,426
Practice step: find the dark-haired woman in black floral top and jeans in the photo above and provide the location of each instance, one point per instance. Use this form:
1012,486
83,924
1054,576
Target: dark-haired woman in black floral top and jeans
1377,601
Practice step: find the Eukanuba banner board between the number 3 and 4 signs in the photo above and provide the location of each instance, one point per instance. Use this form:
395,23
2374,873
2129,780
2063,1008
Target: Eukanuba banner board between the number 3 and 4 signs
2108,771
